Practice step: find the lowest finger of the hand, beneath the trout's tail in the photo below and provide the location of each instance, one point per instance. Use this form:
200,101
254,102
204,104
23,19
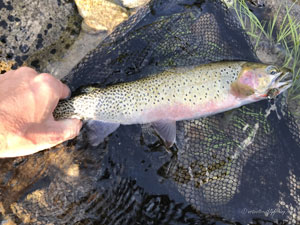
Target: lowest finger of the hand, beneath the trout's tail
54,132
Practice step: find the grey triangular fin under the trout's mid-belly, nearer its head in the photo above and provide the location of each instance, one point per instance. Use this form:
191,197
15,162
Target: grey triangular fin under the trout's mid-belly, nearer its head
166,129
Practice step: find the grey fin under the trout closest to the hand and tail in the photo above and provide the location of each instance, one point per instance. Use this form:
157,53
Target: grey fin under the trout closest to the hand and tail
98,130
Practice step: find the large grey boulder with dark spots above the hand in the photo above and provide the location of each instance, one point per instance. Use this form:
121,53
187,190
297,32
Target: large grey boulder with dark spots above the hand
34,32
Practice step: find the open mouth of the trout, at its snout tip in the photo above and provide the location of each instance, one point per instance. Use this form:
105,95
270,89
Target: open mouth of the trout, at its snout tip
280,82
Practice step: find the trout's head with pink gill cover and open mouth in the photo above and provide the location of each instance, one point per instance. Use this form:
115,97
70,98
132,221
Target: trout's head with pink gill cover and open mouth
261,81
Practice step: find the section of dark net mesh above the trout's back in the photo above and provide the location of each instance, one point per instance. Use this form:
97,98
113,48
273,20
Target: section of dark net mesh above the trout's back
188,33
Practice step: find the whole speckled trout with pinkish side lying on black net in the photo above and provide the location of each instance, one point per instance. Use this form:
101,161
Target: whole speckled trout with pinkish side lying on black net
172,95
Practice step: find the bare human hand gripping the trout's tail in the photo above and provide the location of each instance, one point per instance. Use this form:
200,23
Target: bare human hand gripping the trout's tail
27,100
